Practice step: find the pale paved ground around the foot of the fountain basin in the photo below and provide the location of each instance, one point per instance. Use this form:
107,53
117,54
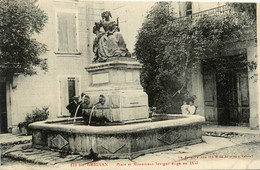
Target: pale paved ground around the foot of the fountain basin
203,155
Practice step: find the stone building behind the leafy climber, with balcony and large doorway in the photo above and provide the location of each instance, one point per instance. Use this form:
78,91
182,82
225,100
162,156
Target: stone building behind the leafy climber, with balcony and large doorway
233,100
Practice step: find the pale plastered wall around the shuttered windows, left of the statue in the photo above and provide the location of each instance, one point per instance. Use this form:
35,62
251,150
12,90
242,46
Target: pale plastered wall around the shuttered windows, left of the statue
43,89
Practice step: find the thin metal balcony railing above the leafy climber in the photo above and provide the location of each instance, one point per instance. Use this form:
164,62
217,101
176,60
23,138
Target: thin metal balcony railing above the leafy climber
214,11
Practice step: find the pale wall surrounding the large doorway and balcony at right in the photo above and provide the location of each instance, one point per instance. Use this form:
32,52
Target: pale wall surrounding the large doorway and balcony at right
196,84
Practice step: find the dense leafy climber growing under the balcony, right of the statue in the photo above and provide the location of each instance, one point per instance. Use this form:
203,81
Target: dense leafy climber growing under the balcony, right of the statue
170,48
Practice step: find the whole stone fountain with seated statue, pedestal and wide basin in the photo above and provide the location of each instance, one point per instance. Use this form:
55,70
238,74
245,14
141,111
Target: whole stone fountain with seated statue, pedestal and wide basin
116,122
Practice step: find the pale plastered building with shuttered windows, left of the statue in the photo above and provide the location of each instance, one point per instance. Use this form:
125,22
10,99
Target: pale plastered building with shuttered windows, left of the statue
68,35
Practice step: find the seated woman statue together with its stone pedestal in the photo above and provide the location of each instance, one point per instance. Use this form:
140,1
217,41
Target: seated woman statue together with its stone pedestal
115,76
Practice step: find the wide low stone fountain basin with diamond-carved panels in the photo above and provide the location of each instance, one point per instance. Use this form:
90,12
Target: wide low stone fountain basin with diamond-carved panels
118,141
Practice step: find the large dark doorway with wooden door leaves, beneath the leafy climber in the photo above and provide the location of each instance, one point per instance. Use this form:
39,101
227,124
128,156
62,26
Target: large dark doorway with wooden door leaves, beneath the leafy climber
226,91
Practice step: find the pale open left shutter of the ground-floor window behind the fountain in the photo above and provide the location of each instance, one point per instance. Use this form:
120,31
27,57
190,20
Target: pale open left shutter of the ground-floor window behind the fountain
64,98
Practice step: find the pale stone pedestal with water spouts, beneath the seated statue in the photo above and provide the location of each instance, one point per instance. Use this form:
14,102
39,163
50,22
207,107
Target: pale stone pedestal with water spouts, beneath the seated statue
118,80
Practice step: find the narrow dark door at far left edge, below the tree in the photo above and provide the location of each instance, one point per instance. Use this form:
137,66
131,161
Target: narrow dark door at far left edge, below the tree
3,112
